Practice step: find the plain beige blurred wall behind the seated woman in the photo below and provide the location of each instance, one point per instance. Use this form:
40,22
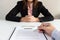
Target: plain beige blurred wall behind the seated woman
52,5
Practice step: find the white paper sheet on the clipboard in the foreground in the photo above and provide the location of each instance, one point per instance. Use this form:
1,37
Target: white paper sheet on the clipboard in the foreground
28,34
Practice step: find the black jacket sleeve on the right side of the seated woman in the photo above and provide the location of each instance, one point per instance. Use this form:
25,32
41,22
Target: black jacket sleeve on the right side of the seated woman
46,13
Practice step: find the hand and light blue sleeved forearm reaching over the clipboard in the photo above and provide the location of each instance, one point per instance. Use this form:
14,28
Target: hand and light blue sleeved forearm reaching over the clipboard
50,30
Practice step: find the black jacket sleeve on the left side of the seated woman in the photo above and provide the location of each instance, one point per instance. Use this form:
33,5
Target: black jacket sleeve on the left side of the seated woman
12,14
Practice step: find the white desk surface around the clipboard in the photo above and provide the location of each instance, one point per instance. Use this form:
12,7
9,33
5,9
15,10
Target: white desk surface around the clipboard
6,27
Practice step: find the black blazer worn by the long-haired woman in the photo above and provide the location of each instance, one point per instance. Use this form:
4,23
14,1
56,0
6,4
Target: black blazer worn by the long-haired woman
36,11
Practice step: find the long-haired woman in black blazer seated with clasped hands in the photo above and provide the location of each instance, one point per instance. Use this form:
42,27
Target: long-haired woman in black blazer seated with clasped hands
29,10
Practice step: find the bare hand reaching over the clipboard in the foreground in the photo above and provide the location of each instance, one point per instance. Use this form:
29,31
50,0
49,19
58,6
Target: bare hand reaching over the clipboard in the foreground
47,27
